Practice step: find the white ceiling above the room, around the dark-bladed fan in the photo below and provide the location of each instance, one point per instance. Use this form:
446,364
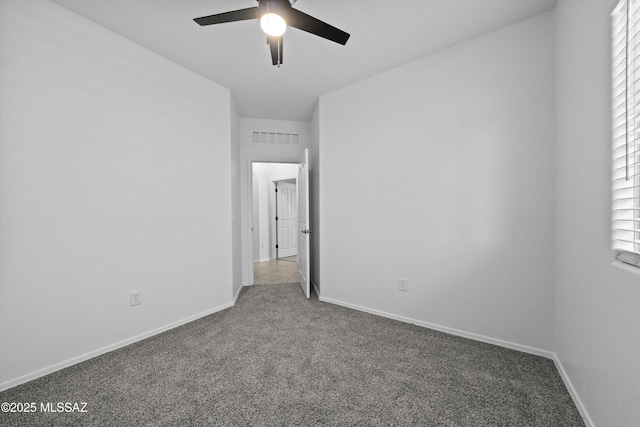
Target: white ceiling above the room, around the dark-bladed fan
384,34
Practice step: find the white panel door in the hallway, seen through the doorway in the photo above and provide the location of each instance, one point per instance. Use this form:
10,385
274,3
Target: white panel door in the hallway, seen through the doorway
287,219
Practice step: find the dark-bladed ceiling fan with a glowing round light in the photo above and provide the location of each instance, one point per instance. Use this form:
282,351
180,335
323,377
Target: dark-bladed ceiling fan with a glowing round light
275,16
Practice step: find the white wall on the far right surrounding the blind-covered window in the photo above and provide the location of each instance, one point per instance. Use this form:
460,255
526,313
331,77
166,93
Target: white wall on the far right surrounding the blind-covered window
597,315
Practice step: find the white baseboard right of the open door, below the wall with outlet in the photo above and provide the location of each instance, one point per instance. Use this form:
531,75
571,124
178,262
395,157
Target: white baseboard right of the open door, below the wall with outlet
452,331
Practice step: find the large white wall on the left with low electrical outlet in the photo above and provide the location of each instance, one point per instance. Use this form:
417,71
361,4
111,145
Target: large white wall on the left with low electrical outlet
115,176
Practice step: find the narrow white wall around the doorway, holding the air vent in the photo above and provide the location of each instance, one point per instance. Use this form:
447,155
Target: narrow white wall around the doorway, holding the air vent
251,152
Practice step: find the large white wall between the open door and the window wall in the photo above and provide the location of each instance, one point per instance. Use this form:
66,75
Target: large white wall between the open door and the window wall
441,172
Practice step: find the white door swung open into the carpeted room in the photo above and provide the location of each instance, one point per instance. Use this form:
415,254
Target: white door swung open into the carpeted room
303,221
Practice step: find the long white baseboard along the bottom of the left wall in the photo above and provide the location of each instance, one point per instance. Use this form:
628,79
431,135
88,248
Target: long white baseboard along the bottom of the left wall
84,357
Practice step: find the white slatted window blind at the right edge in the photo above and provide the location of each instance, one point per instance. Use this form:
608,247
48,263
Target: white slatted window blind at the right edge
626,131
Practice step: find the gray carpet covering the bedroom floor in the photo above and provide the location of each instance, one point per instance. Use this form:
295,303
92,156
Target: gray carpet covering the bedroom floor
279,359
